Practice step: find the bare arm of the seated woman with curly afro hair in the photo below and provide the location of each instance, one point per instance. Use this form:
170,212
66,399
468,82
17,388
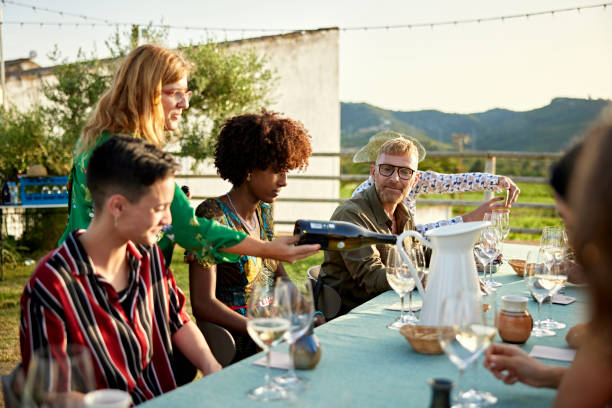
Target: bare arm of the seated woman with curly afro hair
204,303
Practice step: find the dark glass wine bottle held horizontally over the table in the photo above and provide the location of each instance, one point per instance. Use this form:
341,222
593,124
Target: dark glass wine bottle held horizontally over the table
338,235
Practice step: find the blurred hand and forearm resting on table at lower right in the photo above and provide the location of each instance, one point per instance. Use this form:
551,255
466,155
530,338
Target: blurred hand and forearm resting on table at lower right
511,364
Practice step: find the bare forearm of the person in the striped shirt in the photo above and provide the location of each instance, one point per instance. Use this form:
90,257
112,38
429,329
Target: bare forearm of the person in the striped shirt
190,341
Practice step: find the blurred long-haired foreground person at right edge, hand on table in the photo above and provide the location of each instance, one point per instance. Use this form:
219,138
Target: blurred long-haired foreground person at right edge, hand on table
587,382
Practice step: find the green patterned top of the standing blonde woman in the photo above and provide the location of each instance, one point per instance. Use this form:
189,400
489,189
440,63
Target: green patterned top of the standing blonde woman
201,236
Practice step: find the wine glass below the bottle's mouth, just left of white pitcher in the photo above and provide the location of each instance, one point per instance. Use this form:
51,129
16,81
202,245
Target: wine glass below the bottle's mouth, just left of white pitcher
401,281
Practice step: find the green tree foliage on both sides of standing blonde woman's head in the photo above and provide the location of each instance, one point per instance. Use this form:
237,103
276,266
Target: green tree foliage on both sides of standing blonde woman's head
224,83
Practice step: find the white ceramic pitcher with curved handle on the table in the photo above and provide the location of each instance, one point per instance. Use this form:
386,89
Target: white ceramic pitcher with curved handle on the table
451,269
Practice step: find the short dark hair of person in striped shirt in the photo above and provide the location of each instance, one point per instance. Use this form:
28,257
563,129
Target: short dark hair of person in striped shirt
127,166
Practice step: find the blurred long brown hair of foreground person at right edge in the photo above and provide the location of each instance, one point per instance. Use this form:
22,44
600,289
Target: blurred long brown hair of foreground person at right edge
591,199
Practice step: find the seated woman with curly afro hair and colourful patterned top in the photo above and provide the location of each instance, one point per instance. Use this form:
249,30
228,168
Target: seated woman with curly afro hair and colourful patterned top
254,152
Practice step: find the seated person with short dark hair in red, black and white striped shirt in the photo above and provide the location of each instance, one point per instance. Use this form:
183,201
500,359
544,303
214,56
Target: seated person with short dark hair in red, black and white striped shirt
108,289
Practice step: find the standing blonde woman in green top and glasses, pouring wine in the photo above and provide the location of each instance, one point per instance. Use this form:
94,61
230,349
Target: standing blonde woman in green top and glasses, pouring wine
146,99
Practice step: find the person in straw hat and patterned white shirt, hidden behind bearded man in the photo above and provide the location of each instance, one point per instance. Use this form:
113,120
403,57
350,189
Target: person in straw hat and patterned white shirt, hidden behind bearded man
431,182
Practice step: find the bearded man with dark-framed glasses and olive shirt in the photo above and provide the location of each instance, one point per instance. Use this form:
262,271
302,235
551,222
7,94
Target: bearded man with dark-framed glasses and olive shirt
359,275
